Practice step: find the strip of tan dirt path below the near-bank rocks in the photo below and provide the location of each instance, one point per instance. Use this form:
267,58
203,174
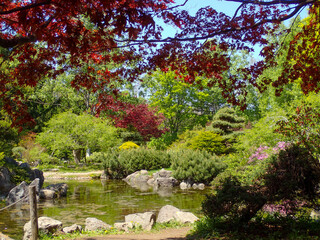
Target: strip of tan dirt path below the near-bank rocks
166,234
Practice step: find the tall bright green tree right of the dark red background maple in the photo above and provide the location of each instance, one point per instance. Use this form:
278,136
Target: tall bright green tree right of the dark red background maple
182,104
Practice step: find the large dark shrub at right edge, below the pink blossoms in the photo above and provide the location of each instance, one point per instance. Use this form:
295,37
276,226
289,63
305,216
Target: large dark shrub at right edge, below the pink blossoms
290,175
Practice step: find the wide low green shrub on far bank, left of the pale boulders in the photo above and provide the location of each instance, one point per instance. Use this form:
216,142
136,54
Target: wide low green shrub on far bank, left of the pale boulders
119,164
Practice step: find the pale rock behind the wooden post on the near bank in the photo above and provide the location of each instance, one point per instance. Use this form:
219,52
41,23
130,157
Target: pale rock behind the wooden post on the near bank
45,224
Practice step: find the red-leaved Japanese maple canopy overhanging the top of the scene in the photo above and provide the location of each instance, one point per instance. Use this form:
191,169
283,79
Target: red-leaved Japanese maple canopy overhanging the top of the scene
37,38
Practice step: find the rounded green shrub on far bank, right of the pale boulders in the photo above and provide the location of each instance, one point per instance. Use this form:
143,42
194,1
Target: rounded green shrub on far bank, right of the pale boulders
195,166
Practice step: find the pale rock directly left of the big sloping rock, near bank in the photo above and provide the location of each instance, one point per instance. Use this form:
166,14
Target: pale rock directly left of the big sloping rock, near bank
144,220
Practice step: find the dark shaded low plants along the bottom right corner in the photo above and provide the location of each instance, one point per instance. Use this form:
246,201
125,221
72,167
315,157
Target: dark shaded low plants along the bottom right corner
262,228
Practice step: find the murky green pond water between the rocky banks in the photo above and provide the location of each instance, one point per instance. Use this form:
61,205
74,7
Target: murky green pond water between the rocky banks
108,201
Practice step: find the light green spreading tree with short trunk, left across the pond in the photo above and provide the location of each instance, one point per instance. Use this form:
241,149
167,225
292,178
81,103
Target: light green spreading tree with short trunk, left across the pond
68,133
